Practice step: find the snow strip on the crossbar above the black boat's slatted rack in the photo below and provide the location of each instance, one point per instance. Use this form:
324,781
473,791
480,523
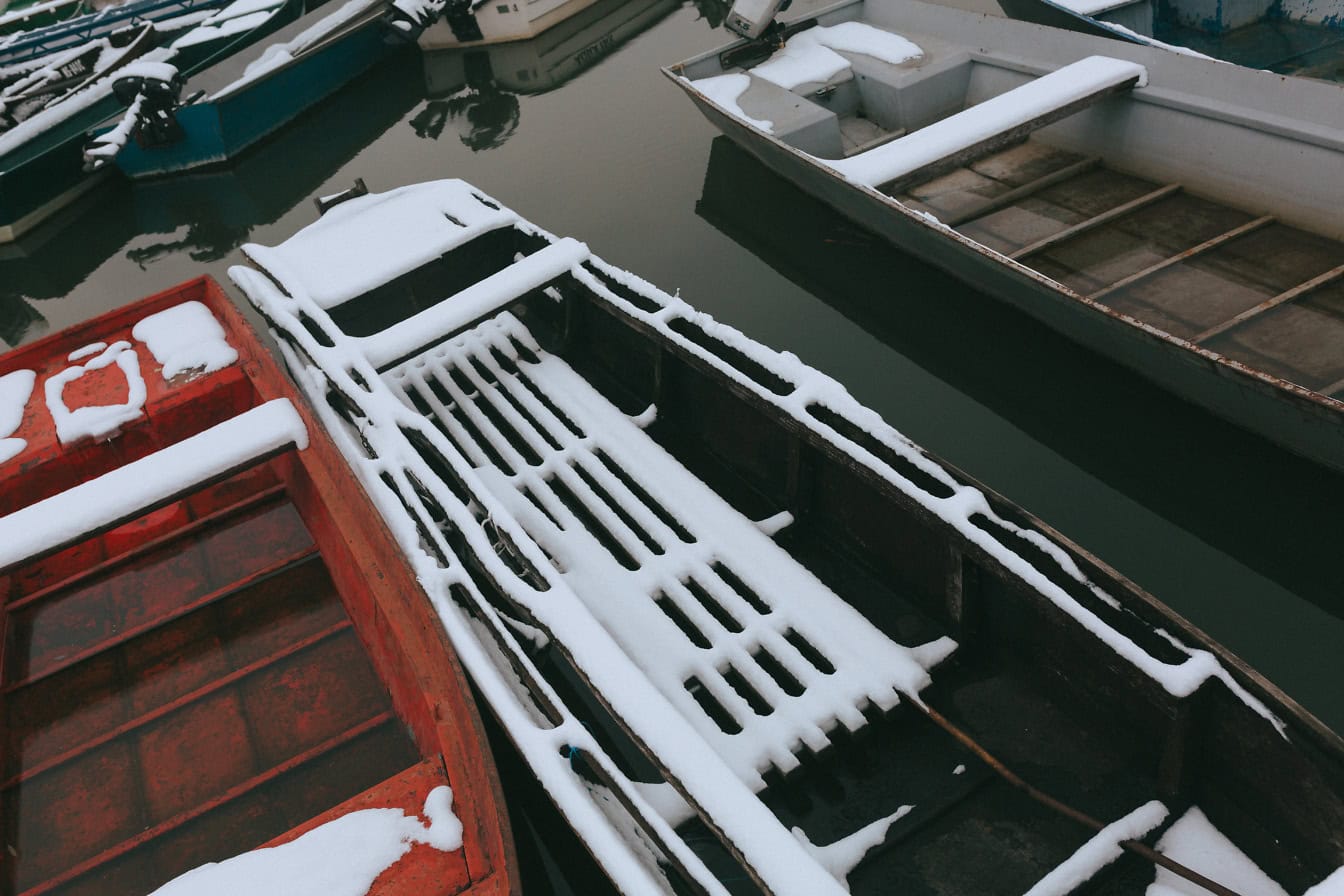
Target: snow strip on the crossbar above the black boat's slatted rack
476,302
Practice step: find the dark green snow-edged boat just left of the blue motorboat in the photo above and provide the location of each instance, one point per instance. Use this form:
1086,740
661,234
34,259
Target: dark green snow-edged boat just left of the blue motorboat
42,159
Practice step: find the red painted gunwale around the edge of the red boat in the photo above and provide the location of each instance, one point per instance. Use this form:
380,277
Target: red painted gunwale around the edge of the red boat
384,602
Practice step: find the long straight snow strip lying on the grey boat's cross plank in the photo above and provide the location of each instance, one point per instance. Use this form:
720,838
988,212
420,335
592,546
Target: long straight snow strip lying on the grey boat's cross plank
982,122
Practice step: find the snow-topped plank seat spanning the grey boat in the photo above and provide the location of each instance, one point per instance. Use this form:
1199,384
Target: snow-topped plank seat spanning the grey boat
970,134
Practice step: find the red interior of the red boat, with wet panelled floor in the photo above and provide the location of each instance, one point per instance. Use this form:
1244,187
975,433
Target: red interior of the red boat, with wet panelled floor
204,678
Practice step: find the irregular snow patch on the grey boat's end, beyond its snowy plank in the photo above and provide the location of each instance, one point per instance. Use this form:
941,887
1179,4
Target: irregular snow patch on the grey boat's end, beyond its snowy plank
812,58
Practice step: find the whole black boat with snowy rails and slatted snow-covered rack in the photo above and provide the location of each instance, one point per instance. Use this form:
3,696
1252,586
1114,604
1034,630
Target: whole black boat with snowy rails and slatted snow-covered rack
749,637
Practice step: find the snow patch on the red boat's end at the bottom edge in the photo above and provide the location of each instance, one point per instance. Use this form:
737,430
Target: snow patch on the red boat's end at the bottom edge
342,858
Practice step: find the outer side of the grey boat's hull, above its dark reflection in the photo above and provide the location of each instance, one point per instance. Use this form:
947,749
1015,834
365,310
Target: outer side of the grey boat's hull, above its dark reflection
1300,420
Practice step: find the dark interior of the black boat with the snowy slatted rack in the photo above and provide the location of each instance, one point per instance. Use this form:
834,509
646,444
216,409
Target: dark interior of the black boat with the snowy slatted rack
638,465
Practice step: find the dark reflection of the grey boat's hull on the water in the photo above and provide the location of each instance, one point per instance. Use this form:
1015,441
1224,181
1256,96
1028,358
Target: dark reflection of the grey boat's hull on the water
1064,397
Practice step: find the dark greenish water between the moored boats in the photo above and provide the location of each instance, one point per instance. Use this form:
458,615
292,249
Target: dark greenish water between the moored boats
1232,533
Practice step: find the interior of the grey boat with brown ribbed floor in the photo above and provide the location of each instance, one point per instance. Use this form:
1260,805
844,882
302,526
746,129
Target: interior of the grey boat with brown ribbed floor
1083,193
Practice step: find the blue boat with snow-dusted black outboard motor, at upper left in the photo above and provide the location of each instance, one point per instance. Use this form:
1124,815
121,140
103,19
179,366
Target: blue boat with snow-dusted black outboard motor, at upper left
232,107
